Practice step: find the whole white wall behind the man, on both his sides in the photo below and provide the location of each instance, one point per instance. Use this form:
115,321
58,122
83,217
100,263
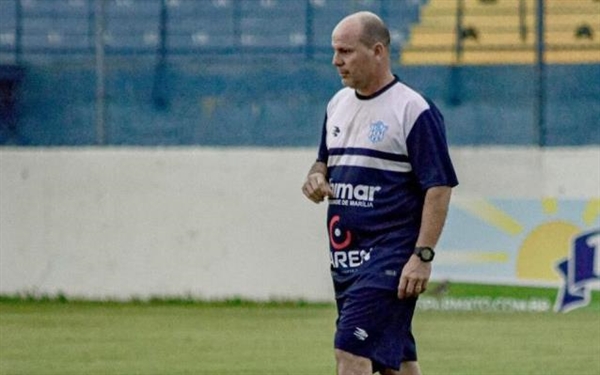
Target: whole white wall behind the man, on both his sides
207,222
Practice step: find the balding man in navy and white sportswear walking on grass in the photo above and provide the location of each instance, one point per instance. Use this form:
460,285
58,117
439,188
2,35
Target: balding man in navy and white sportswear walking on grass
384,166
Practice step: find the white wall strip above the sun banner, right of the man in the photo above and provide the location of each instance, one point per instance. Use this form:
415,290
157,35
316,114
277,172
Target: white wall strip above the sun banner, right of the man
528,172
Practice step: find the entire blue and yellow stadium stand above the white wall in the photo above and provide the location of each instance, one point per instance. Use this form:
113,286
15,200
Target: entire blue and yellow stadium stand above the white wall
257,72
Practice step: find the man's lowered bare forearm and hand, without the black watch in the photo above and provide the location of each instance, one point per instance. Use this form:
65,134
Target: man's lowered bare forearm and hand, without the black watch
415,274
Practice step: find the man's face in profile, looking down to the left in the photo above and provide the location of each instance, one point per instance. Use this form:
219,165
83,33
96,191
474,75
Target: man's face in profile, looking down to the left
353,60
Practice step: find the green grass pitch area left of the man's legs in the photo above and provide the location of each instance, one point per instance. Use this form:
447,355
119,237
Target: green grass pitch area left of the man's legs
78,338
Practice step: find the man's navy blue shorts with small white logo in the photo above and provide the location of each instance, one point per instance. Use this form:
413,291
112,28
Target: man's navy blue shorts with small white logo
375,324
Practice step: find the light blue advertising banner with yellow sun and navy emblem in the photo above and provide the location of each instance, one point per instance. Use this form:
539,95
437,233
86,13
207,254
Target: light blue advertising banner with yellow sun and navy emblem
548,242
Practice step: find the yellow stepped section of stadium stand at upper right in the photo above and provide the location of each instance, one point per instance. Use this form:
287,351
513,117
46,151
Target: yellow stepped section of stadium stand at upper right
503,32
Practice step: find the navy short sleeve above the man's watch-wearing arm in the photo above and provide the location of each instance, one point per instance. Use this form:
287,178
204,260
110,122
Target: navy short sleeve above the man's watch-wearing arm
428,151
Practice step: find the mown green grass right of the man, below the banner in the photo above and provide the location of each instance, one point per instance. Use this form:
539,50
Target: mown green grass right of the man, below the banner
506,343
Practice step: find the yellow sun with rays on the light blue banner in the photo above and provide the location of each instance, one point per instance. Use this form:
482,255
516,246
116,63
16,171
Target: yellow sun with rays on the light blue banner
542,242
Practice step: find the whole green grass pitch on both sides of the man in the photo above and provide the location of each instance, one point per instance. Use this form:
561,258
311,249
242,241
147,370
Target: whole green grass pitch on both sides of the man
58,337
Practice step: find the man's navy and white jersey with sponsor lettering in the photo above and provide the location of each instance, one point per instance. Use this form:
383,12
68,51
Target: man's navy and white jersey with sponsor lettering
382,153
